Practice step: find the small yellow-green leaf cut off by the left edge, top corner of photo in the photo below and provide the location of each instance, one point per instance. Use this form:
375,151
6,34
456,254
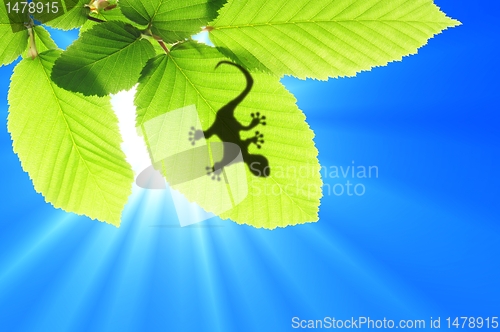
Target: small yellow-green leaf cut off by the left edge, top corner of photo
13,38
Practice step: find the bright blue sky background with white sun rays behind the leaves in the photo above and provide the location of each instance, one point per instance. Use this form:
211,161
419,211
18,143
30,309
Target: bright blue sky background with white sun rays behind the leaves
422,242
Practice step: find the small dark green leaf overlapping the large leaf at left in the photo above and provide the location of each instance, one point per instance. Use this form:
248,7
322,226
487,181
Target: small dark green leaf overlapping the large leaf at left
106,59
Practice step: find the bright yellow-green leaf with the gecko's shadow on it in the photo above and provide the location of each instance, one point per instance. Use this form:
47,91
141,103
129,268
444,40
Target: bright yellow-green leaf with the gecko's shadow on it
187,76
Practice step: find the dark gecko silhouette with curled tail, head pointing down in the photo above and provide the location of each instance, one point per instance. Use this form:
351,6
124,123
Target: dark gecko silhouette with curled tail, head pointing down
228,129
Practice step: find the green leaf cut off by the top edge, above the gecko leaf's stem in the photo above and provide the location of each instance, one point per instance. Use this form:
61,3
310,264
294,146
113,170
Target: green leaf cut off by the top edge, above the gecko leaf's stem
172,20
